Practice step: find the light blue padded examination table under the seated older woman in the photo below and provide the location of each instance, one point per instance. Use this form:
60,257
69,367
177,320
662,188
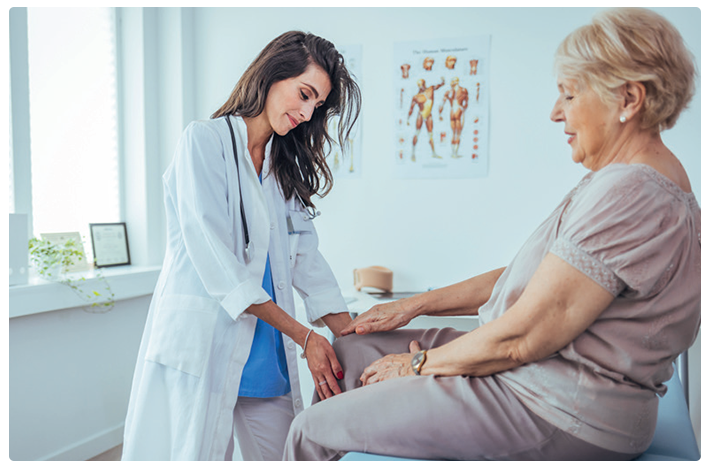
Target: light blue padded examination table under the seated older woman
673,440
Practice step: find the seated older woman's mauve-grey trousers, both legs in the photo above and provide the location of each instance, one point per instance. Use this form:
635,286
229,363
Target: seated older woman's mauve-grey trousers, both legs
425,417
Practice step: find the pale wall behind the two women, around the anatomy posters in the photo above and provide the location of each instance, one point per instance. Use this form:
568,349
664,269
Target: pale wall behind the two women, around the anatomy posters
435,232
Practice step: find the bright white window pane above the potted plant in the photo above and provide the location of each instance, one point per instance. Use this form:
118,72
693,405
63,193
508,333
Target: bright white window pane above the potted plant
73,119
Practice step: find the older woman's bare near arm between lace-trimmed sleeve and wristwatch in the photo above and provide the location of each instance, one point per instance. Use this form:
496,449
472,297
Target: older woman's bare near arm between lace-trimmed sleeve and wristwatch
557,305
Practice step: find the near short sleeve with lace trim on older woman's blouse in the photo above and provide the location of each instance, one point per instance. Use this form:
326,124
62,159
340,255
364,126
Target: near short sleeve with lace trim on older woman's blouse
621,230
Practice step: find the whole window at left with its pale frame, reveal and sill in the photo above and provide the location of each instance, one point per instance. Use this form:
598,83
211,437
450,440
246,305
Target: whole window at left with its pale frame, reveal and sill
70,79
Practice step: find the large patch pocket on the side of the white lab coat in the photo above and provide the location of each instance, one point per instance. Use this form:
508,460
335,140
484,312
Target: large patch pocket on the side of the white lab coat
182,331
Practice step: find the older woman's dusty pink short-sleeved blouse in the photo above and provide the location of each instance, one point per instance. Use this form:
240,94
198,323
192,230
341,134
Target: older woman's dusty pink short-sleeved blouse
637,234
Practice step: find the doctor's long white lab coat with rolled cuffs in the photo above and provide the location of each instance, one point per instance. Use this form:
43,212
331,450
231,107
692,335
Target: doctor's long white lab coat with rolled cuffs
197,335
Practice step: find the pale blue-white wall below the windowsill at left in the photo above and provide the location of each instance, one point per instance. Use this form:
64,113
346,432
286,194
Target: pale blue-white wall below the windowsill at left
69,380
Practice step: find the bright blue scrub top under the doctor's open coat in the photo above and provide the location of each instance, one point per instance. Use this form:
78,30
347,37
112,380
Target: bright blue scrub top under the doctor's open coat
266,373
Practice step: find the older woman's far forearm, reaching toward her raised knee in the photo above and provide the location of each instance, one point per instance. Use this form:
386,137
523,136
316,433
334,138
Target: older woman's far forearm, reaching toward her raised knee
464,298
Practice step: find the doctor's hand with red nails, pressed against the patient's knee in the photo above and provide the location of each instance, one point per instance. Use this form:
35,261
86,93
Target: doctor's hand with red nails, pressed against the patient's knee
324,366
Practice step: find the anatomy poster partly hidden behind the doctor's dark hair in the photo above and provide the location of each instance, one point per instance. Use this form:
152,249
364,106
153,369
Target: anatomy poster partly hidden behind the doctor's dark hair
347,163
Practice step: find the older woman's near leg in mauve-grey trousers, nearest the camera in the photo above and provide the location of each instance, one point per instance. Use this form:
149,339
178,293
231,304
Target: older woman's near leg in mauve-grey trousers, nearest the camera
420,417
